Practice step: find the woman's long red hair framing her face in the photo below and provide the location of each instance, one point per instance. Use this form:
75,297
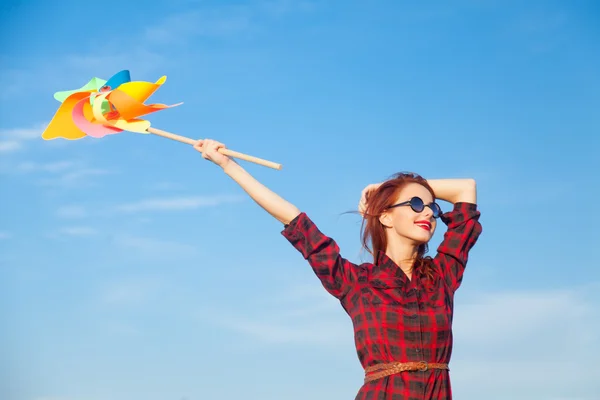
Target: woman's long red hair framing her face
377,202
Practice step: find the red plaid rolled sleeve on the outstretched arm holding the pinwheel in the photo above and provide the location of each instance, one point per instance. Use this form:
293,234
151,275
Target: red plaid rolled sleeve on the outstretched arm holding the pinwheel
322,253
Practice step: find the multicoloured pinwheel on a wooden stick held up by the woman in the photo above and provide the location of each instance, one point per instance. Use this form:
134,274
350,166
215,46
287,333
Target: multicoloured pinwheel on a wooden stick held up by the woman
102,108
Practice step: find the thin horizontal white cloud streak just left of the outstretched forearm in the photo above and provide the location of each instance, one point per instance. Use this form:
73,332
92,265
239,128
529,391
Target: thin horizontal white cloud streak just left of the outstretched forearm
177,203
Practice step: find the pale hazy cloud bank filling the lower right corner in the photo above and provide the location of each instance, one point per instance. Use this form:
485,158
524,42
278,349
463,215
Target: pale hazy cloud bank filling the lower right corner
541,342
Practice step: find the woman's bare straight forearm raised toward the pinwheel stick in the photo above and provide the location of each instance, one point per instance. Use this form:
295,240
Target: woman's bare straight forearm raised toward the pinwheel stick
279,208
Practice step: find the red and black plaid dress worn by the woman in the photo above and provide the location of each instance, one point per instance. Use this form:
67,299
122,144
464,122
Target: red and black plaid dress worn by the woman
396,319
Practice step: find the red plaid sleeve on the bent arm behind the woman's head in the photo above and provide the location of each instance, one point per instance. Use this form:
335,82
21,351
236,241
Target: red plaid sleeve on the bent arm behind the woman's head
463,231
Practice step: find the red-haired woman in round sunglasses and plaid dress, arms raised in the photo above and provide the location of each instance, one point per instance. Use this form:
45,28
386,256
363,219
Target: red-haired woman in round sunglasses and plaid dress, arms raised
401,305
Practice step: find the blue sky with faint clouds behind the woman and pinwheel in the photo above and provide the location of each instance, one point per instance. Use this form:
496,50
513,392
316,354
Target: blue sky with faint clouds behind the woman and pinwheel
131,268
